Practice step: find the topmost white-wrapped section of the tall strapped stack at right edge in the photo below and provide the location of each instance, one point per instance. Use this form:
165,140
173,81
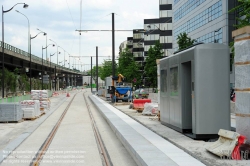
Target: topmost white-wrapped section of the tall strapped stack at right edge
242,51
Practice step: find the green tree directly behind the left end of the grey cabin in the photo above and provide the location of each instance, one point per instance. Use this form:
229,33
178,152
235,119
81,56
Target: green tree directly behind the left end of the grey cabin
150,68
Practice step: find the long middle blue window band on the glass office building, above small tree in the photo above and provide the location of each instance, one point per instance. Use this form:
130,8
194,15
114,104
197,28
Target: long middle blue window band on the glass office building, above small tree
210,14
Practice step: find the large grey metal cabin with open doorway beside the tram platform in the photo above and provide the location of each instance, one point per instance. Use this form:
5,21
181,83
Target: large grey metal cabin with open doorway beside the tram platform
195,90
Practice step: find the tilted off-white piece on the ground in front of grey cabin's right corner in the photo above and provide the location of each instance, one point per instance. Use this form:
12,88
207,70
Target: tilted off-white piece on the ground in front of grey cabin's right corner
225,145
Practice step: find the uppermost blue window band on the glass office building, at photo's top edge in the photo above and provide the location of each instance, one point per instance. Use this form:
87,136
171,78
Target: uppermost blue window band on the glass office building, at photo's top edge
187,7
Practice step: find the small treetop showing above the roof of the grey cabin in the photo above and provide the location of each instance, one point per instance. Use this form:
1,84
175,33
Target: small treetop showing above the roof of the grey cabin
184,41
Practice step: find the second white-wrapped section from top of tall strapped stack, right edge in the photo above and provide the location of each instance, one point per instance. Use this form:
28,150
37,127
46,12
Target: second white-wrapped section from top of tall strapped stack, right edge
242,76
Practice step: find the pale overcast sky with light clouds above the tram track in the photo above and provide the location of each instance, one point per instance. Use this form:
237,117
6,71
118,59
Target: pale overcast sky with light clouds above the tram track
60,18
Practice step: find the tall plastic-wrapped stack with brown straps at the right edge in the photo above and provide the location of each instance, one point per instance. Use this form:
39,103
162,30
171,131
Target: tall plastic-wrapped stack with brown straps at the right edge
242,80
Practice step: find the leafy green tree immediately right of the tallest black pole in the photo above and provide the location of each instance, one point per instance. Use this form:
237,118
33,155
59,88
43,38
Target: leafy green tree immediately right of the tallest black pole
128,67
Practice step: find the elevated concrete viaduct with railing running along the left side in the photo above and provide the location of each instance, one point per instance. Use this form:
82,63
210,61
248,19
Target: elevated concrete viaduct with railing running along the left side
17,58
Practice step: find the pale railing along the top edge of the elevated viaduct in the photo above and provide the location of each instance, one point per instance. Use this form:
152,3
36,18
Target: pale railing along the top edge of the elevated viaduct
33,57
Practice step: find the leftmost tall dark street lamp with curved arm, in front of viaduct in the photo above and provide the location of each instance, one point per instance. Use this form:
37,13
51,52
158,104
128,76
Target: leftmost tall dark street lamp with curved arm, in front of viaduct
24,6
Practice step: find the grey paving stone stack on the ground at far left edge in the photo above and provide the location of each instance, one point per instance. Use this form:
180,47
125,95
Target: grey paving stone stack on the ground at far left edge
10,112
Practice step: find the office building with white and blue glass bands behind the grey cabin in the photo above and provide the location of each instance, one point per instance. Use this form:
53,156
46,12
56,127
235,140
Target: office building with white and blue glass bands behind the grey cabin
205,21
